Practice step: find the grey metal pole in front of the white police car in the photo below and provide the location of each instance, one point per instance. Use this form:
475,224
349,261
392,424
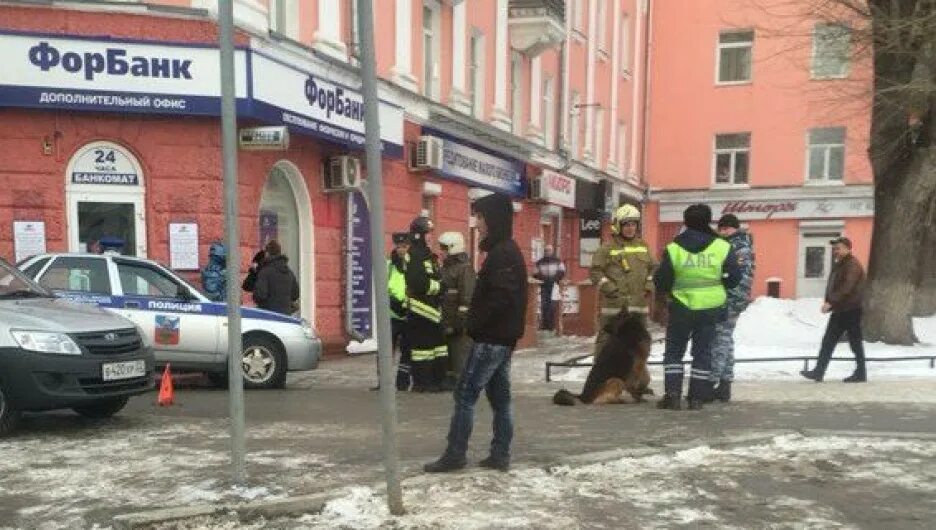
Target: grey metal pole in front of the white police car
232,239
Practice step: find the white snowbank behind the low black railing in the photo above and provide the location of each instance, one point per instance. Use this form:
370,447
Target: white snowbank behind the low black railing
774,327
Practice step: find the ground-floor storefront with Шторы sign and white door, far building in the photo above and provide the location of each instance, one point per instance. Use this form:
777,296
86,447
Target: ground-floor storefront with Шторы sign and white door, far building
791,228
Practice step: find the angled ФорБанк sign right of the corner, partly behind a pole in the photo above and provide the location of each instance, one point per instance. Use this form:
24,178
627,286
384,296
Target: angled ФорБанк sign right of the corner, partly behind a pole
309,102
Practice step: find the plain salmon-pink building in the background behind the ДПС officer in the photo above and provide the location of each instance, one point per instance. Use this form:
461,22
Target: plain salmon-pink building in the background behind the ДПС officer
761,111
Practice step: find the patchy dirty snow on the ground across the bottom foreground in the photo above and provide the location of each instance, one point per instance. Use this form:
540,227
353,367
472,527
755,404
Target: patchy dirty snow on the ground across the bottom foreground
790,481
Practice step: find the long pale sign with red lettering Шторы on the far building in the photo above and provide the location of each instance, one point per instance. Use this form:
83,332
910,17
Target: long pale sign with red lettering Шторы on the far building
754,210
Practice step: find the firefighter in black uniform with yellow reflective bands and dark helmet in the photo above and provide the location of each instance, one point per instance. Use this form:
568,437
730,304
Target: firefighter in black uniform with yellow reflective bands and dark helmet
424,330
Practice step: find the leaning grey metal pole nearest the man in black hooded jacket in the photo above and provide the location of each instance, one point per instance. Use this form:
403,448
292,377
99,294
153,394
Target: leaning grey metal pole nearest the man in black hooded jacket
375,191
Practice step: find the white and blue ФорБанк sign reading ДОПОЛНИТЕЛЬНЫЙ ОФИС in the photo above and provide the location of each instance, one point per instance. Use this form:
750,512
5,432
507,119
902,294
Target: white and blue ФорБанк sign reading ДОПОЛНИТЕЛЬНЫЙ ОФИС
90,74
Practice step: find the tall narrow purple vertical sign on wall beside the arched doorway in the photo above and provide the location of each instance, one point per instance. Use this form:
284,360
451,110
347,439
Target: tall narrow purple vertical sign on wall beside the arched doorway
359,300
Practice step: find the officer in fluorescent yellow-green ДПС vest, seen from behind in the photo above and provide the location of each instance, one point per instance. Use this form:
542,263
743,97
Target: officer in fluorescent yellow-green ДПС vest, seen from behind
696,270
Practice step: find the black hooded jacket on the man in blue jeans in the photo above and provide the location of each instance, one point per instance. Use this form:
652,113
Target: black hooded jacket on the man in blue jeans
498,305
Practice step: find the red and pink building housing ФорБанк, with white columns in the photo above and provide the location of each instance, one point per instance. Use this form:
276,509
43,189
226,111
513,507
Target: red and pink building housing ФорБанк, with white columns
112,126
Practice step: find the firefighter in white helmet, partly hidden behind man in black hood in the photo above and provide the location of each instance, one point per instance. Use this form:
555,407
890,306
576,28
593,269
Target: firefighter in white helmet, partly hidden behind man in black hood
458,280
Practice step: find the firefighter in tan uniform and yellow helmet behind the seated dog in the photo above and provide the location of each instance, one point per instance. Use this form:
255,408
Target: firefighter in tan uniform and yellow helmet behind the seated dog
623,270
